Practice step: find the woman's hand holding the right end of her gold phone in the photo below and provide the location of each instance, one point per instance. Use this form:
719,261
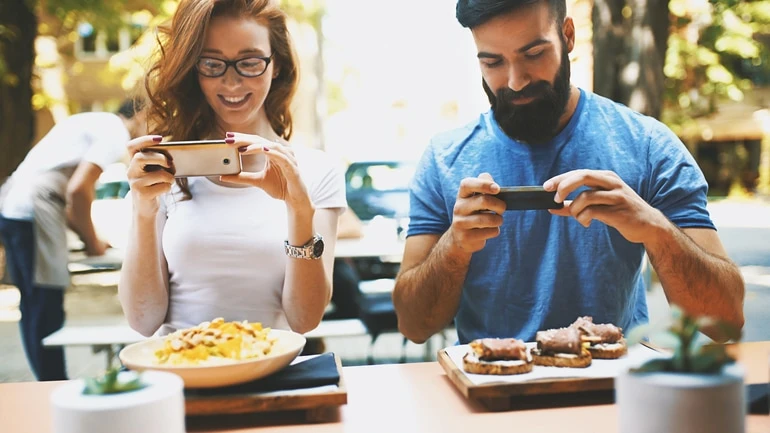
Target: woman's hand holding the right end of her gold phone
279,178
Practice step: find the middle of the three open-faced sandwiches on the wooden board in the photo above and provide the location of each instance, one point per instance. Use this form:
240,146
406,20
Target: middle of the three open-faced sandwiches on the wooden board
561,347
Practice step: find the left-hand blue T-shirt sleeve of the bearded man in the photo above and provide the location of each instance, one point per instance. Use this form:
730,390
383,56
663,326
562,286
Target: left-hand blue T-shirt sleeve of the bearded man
427,209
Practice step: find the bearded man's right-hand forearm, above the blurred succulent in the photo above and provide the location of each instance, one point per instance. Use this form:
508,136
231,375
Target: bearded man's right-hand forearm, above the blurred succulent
701,283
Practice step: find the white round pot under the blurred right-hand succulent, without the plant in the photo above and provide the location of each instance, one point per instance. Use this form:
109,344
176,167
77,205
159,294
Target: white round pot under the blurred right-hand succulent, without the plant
681,403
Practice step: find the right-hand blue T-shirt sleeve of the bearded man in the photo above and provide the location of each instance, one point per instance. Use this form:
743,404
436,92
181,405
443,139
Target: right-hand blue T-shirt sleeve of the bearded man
676,186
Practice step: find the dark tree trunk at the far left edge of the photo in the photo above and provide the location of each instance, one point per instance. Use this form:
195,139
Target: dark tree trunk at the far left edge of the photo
17,52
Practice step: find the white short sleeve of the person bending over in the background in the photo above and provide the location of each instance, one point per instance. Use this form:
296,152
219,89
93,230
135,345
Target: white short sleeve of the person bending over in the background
108,142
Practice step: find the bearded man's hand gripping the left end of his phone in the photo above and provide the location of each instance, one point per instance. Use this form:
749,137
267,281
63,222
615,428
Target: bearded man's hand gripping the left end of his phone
477,216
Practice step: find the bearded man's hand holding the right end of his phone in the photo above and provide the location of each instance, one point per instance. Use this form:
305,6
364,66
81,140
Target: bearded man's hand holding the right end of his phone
608,199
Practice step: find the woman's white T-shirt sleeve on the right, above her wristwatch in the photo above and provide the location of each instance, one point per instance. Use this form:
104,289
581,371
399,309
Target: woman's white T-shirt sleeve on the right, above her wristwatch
325,182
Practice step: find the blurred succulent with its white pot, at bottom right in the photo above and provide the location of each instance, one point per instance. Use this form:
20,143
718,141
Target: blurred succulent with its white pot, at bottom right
698,388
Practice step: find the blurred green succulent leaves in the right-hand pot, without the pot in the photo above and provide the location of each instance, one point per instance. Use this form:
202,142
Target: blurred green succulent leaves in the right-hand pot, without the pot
690,354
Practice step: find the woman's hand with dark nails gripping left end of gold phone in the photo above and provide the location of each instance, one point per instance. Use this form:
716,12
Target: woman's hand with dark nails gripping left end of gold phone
149,174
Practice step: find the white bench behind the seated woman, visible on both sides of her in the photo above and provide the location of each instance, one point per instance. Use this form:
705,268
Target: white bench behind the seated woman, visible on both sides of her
112,338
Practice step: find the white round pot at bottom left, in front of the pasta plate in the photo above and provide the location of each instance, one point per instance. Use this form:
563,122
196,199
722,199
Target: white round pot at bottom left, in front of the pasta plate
156,408
